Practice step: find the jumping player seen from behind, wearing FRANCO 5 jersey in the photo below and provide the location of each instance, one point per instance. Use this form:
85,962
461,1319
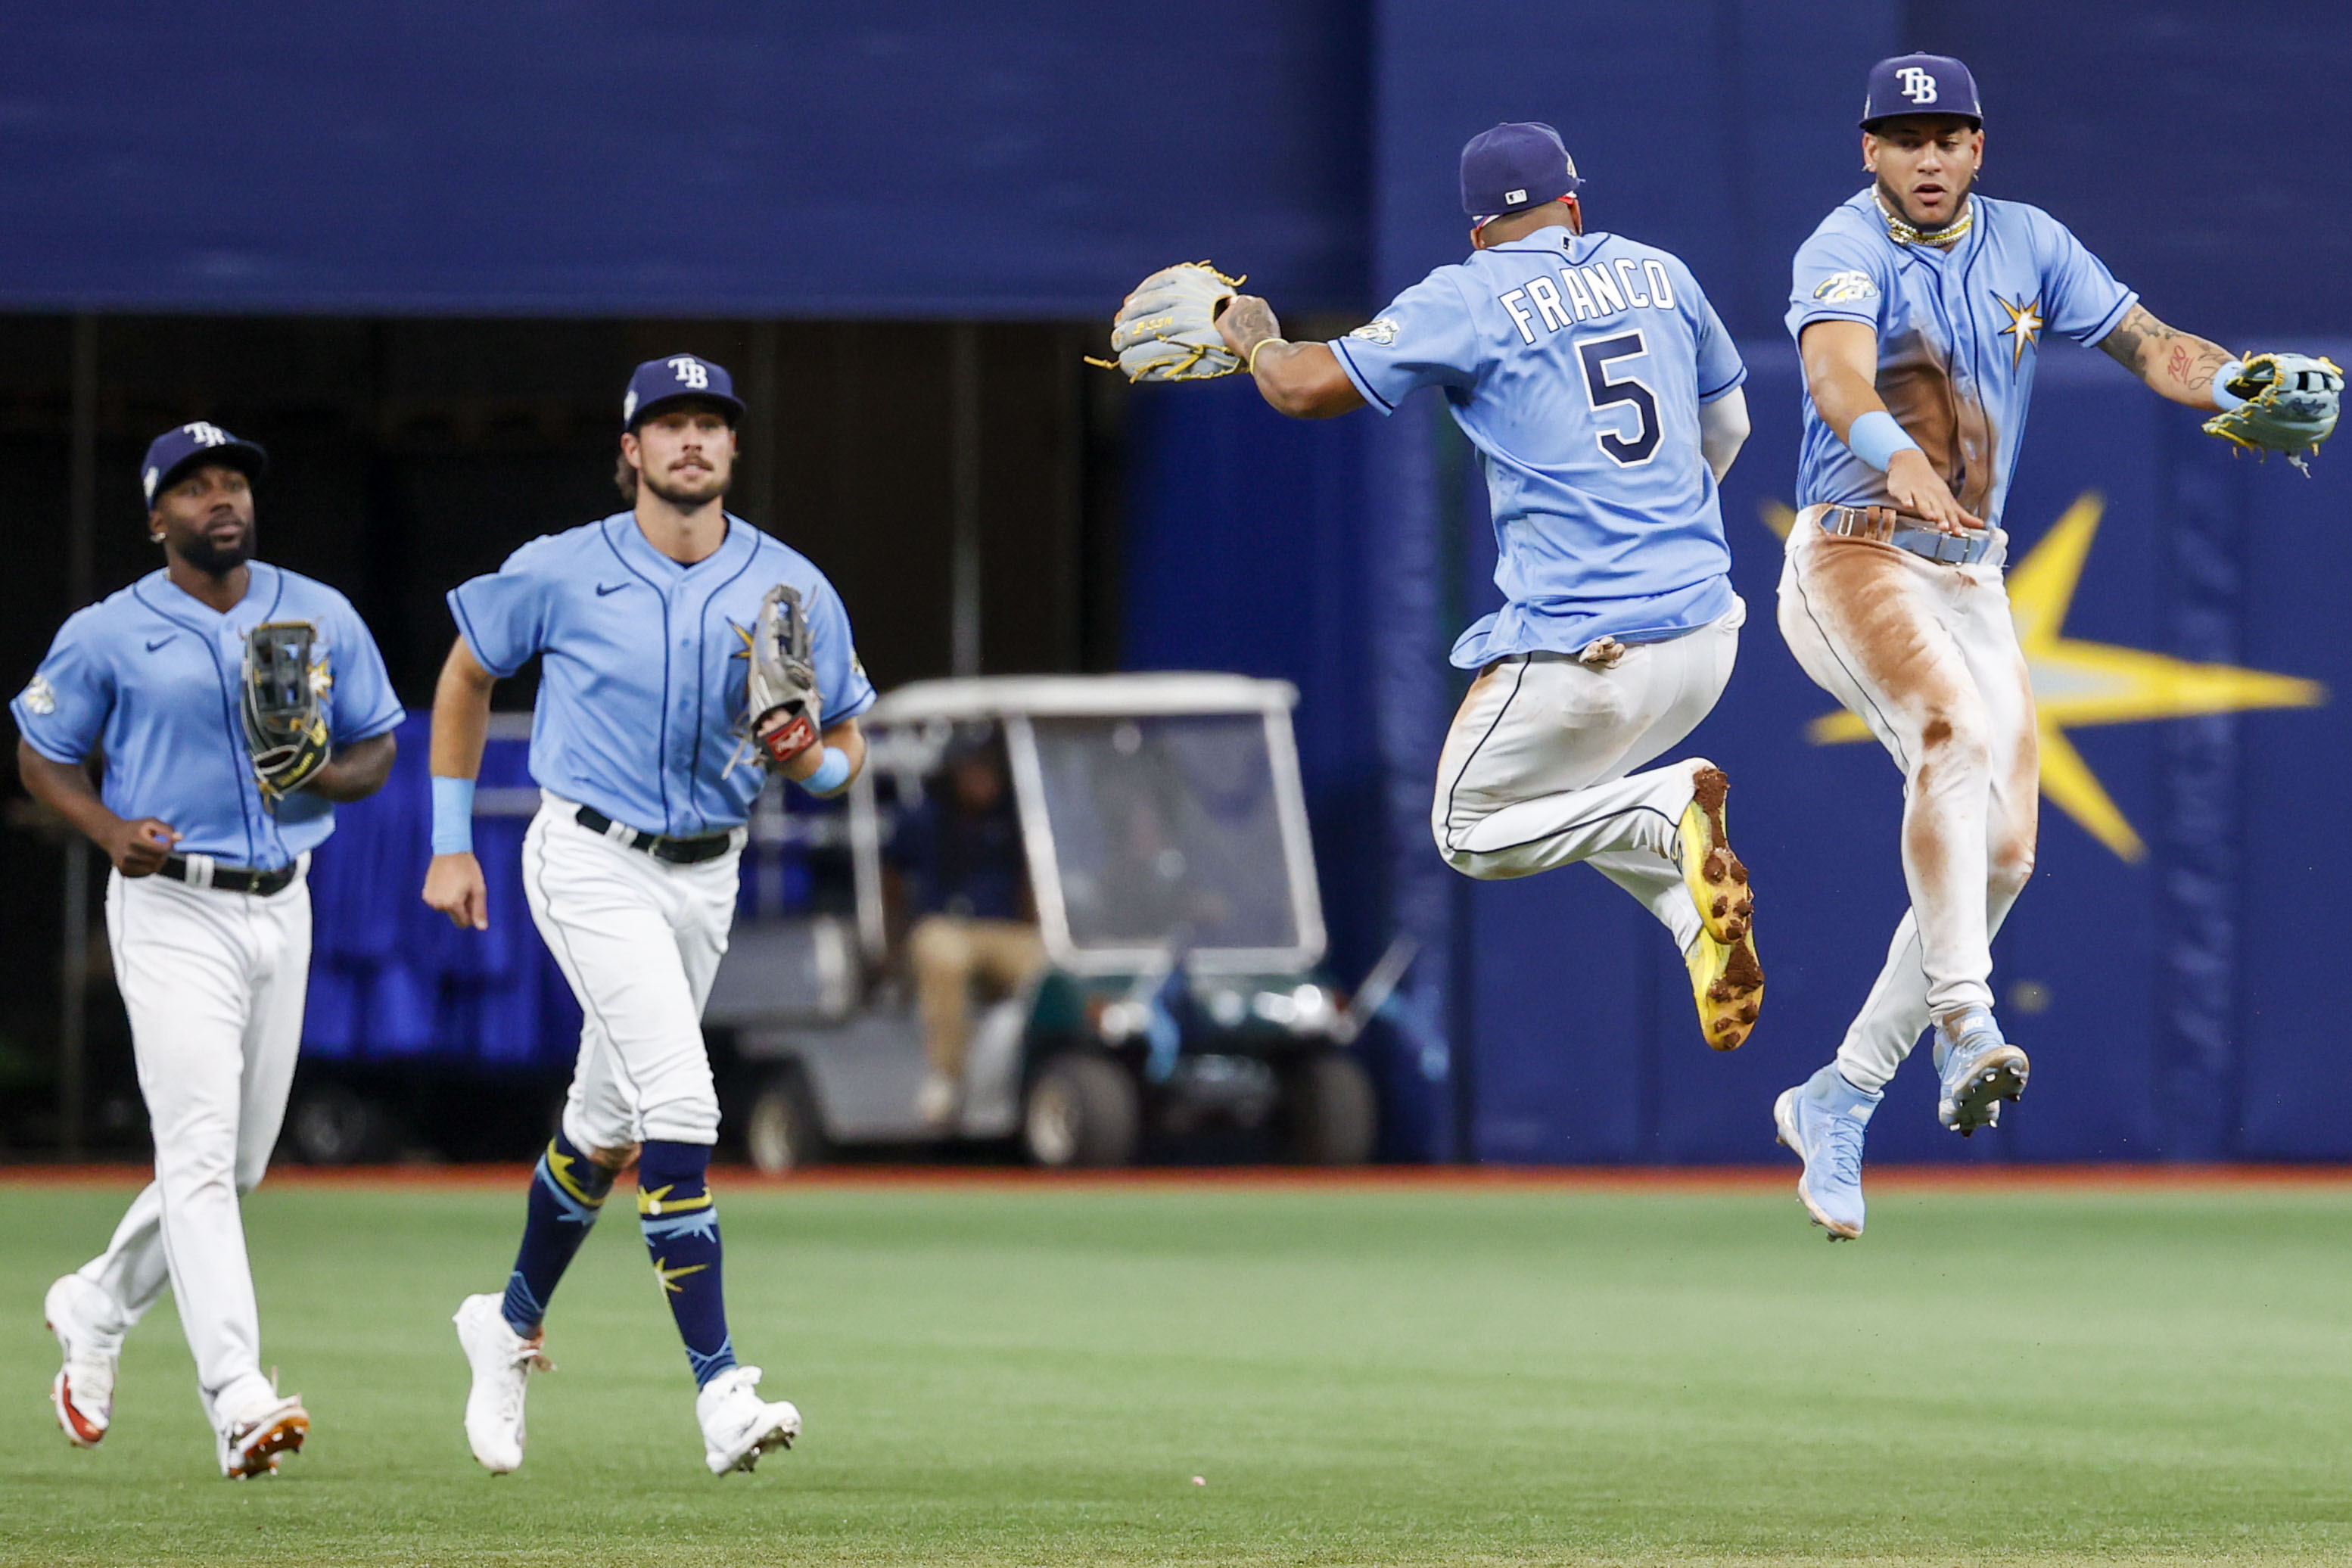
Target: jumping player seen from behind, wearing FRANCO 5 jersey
1605,403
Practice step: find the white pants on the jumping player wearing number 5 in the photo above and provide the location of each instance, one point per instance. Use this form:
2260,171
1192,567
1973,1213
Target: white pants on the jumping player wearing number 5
1539,768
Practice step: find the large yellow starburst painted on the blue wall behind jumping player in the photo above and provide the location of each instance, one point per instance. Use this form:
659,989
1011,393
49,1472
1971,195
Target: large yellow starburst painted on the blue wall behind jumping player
2092,683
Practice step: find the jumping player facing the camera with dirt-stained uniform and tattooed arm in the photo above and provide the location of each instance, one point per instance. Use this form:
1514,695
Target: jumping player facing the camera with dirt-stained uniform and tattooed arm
1918,311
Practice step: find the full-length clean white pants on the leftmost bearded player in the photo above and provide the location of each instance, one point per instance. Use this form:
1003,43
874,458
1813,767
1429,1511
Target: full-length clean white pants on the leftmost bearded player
215,991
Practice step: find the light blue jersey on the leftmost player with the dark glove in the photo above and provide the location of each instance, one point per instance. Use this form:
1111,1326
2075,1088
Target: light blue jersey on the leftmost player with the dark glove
154,681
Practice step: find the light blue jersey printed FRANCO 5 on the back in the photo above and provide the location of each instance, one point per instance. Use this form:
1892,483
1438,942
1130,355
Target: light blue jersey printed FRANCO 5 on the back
1575,366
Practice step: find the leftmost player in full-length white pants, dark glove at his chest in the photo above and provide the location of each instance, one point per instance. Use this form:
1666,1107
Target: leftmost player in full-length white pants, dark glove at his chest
206,909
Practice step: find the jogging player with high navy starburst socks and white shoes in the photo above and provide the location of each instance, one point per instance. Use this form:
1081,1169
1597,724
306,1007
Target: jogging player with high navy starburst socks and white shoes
683,657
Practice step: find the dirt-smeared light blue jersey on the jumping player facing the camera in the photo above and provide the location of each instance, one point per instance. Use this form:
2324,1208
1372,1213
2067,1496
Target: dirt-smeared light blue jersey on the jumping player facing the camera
1958,337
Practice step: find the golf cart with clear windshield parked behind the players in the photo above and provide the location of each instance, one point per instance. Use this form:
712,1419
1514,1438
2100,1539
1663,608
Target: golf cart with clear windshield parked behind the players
1175,885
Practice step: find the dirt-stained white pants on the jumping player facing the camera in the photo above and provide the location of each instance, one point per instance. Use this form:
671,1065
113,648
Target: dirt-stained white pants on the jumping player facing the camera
1927,657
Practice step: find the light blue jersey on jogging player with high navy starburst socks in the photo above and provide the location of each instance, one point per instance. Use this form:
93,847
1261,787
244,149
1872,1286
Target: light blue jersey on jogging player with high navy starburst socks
641,692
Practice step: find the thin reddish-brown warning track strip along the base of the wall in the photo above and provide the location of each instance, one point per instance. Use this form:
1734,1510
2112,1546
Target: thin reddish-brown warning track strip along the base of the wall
1283,1179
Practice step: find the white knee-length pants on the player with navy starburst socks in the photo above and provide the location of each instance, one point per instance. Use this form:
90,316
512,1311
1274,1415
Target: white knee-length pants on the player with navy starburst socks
641,942
